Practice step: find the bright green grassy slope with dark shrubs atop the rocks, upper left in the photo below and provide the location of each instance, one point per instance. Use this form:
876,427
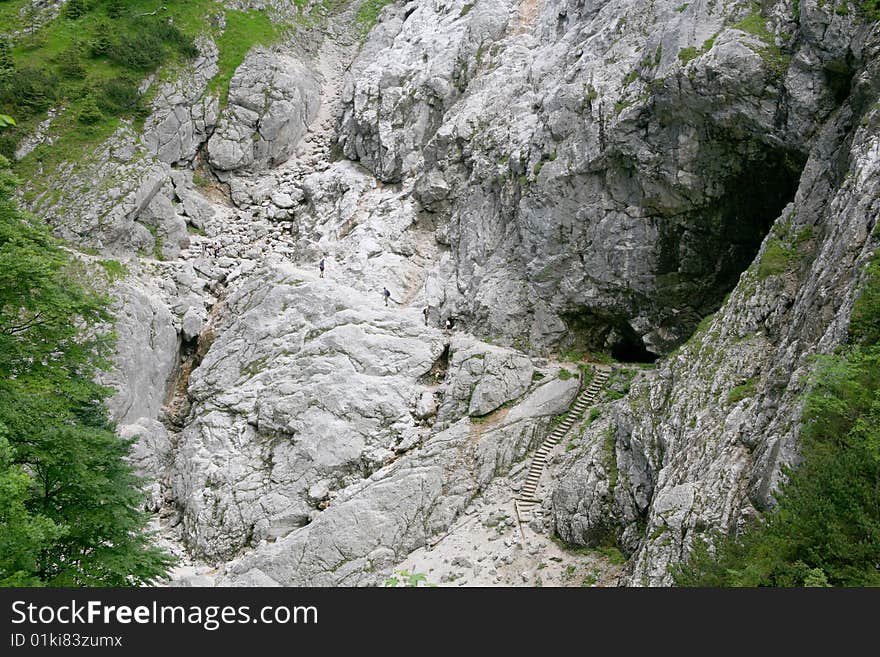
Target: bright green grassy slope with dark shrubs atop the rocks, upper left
91,61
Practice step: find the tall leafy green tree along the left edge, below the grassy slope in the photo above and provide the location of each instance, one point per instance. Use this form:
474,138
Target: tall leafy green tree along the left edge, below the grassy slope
69,500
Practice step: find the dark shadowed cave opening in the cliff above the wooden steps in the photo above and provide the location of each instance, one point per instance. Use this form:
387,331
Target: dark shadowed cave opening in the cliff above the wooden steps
702,254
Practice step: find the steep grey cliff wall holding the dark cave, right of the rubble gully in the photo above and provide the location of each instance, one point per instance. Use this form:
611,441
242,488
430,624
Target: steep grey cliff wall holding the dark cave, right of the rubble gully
624,160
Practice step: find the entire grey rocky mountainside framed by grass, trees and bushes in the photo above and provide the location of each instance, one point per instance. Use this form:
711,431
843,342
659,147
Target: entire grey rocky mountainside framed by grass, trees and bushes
559,176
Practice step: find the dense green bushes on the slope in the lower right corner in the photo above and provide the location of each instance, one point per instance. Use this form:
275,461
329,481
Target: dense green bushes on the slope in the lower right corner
825,528
